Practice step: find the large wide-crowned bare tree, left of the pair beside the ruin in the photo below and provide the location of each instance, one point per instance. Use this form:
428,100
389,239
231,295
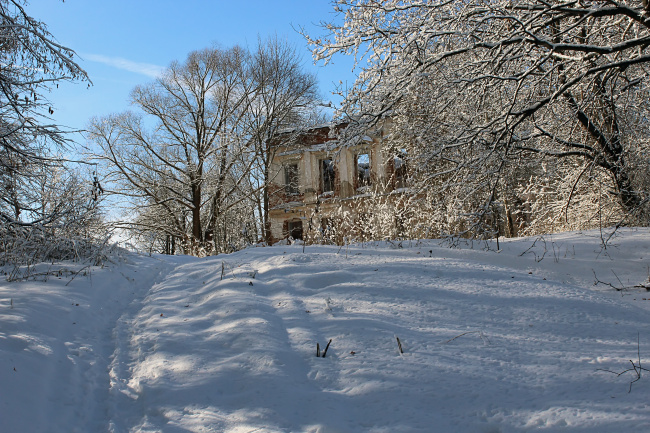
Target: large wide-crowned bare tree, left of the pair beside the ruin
182,167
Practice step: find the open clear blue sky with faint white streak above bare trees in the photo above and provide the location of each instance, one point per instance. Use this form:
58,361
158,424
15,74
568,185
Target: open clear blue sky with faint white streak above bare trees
123,43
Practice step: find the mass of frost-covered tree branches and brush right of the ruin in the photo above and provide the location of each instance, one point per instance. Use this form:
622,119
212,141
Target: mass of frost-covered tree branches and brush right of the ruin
517,116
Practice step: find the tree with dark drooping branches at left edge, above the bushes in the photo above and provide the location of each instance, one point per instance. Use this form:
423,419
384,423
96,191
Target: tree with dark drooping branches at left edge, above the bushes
31,62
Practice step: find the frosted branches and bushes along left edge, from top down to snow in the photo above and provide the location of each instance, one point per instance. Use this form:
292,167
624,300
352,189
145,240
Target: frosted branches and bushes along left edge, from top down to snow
47,210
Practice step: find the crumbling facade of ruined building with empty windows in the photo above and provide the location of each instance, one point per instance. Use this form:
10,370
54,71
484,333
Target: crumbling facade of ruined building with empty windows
320,190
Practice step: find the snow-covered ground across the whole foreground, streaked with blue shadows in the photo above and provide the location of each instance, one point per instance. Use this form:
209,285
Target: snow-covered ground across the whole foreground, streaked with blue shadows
492,341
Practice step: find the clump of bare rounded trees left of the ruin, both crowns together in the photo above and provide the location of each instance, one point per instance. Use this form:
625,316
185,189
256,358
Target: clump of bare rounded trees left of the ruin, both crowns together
191,165
